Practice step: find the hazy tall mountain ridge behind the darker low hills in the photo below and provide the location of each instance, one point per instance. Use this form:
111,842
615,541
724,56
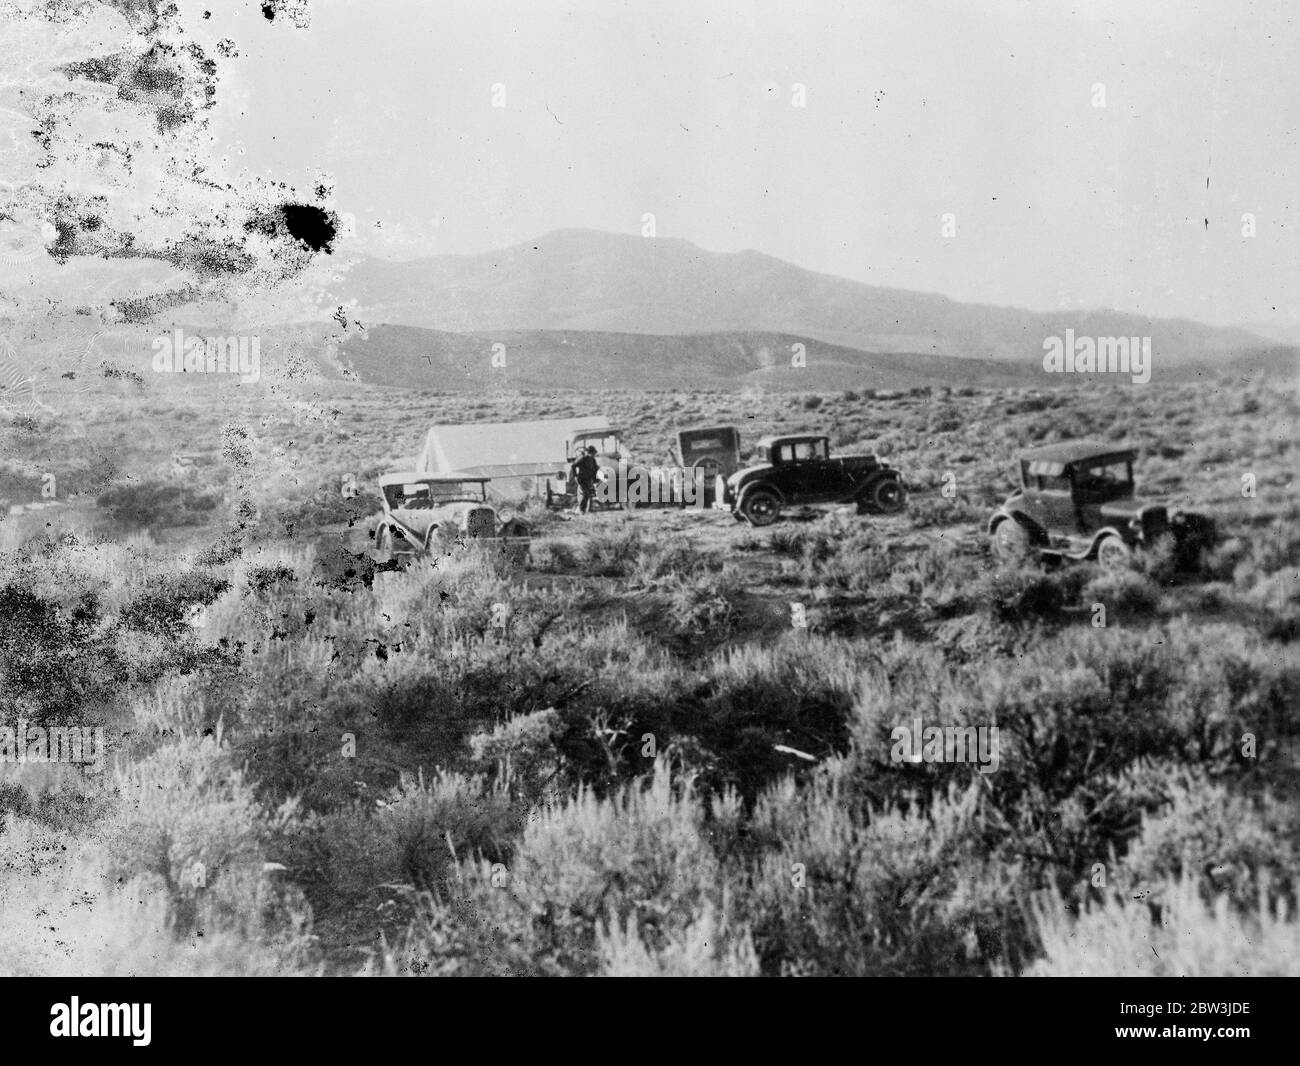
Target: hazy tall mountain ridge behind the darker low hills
591,280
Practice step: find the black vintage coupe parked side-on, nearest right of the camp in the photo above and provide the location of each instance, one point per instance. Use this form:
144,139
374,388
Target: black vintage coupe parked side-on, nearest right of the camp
798,471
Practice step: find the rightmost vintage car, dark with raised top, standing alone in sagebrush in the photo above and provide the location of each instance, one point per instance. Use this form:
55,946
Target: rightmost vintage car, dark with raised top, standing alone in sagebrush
1078,501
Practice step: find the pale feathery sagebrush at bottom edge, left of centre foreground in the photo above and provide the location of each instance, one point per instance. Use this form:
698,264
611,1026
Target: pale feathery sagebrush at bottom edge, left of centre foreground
638,861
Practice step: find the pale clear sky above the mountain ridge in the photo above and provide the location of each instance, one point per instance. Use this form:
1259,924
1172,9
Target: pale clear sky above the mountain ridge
915,109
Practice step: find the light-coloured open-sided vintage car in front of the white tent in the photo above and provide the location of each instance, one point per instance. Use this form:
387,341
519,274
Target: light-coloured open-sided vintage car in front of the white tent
422,510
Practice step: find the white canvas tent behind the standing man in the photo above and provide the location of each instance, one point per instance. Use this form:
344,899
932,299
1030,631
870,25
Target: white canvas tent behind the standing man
505,449
